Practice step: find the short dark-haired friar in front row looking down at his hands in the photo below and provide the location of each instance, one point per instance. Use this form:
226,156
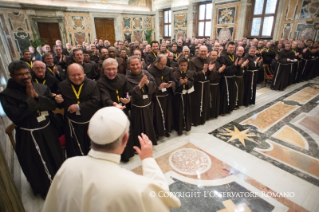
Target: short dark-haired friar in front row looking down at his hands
182,98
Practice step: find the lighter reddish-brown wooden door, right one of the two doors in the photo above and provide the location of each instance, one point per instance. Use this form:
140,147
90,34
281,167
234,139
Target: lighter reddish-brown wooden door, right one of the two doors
105,29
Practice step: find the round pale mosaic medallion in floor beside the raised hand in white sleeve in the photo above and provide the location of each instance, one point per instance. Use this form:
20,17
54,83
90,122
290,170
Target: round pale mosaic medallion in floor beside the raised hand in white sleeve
190,161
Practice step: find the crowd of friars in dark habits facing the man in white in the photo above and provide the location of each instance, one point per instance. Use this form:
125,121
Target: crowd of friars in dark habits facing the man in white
160,87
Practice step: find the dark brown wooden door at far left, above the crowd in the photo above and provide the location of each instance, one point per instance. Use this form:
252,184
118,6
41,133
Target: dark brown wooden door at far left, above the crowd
50,32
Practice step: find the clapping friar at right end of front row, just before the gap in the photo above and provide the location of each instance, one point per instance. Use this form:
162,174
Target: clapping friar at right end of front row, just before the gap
251,64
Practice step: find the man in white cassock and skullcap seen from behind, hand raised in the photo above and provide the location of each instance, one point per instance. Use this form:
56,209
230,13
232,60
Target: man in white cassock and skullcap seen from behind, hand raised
97,182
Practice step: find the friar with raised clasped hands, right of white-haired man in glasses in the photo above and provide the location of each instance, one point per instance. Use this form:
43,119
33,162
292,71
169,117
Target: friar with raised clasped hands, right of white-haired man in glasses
141,88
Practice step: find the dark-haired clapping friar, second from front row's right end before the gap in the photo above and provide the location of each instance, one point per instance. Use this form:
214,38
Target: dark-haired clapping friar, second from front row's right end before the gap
227,81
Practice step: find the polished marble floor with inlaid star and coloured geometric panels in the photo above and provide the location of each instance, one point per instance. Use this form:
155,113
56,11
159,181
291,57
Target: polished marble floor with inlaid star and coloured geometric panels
264,157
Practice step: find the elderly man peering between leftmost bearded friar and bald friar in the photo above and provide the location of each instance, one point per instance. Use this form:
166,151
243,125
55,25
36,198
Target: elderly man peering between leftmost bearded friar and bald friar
39,75
